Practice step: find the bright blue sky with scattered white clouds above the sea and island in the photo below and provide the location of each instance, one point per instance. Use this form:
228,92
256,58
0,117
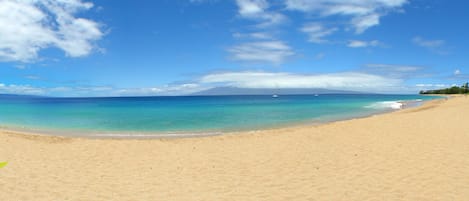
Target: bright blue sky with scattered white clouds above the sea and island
176,47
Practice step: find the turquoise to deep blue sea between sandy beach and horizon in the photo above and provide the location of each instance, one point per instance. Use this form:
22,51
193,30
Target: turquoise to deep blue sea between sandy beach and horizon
187,114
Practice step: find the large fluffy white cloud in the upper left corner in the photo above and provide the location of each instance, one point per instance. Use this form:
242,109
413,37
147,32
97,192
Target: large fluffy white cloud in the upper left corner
28,26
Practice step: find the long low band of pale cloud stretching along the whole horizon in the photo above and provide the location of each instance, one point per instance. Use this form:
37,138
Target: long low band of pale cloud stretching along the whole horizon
353,81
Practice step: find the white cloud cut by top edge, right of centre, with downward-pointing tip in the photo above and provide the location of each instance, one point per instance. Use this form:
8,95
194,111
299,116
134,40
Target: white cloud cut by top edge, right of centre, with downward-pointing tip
364,13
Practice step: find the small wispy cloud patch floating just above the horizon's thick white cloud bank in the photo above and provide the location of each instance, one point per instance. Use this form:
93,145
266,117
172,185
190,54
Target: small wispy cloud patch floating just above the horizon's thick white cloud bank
273,51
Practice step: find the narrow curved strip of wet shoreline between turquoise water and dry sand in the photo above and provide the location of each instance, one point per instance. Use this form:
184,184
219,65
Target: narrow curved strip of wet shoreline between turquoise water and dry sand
196,134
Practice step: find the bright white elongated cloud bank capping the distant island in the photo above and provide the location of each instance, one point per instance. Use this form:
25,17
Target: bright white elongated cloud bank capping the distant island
343,81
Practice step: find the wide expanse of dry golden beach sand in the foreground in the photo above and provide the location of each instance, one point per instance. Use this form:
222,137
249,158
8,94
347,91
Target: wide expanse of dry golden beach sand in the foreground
413,154
